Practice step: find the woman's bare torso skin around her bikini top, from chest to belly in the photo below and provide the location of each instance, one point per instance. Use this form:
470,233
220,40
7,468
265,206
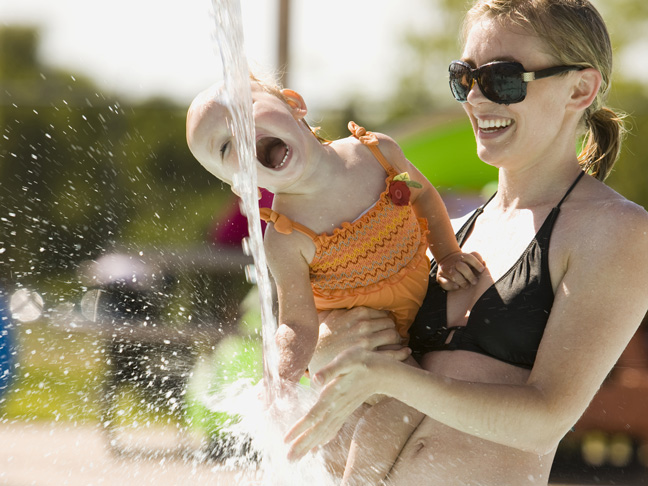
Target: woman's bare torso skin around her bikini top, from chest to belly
437,454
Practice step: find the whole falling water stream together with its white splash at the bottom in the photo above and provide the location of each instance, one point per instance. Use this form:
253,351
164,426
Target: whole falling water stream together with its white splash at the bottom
266,426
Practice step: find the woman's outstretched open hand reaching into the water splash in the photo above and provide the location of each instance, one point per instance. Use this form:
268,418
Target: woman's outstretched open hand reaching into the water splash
348,381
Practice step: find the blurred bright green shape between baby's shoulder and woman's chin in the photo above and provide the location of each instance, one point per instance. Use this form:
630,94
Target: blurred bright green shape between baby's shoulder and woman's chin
446,154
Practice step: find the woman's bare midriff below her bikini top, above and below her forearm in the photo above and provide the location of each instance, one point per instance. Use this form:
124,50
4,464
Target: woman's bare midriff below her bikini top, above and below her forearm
437,454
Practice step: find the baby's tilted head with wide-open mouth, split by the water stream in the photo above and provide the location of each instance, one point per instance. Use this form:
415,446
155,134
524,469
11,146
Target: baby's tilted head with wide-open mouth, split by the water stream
209,133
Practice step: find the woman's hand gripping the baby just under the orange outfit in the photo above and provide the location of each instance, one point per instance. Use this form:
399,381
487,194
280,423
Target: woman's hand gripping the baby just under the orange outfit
361,327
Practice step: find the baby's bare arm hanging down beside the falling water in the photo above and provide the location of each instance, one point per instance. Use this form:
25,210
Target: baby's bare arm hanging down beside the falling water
298,325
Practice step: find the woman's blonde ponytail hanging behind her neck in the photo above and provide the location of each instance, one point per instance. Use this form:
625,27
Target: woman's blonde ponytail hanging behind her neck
605,133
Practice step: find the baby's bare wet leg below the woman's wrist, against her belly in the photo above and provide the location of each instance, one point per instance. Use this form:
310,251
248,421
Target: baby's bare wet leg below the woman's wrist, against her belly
378,439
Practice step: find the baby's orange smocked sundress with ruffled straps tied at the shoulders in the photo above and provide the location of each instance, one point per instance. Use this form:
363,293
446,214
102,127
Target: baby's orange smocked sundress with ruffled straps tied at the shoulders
377,261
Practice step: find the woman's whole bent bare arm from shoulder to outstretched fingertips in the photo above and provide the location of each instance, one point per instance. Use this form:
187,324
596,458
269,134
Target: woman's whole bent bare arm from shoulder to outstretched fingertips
598,306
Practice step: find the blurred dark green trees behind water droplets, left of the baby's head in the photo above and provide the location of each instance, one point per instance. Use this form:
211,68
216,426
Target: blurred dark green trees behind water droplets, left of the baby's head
83,172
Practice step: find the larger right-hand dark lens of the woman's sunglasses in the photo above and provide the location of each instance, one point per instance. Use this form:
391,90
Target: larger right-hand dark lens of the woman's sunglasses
502,82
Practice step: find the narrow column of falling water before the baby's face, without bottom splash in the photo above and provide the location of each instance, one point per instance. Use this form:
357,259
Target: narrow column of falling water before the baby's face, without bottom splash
237,94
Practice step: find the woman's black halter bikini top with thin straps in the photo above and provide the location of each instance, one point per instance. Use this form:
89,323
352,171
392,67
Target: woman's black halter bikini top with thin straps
508,320
